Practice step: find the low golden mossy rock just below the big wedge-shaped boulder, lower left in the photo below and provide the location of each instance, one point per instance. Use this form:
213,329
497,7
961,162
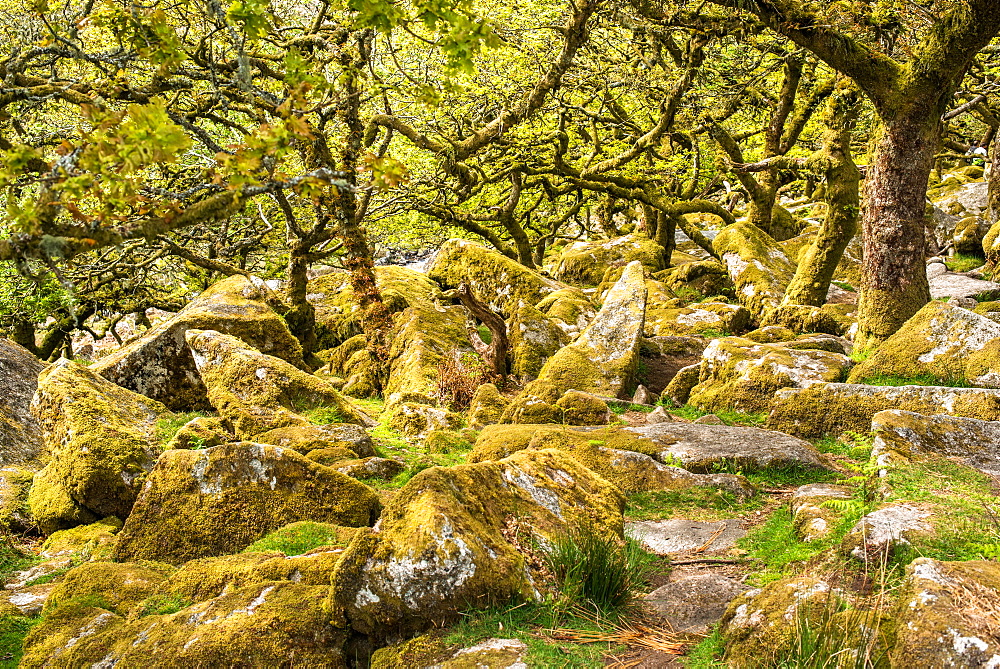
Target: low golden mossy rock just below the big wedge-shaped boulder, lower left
120,585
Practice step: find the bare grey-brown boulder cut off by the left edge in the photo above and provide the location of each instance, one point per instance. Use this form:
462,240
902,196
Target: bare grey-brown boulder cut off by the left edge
20,436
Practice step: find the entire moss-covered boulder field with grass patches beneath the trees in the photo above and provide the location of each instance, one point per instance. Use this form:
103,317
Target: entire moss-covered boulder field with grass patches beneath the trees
199,497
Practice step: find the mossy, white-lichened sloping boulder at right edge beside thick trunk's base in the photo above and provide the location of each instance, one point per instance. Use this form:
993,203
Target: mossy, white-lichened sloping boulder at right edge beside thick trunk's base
941,341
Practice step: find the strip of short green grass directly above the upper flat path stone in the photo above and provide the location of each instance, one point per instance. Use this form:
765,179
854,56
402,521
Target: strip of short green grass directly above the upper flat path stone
698,503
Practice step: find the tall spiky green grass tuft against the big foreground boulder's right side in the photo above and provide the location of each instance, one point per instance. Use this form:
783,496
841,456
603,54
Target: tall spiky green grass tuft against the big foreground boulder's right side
591,567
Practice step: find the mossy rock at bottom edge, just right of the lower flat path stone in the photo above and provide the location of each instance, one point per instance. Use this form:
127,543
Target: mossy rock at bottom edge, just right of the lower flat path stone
759,626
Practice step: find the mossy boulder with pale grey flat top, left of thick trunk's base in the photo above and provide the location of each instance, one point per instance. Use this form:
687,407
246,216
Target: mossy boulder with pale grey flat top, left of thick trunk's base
737,373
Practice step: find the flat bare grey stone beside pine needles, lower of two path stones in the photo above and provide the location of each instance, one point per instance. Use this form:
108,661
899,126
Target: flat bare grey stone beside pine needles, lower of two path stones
693,602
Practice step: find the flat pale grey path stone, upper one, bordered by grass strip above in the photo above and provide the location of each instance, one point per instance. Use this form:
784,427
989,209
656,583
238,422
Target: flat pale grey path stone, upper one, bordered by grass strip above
665,537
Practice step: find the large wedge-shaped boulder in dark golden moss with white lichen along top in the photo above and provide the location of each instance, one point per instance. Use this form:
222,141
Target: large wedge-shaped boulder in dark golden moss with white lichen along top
220,500
